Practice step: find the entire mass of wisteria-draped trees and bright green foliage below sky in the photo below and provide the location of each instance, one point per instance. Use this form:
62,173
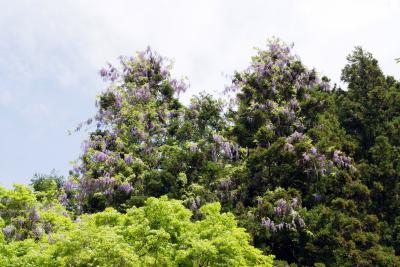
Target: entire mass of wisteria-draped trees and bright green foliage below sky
310,171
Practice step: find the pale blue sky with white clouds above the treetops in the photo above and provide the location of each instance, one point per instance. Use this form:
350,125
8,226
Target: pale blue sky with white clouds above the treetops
51,53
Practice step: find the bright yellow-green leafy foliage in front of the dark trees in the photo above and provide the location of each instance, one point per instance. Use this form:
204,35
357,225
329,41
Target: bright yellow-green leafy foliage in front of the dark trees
160,233
